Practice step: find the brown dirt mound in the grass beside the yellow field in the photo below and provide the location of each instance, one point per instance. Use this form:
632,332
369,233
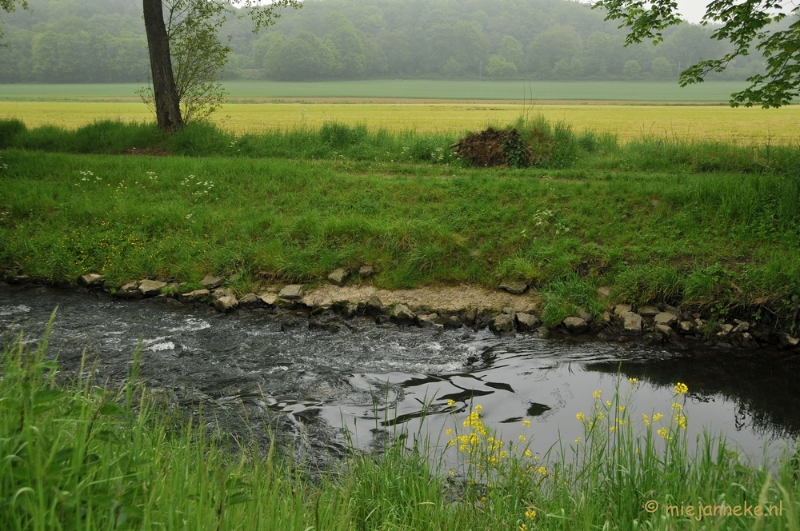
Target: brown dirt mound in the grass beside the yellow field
494,148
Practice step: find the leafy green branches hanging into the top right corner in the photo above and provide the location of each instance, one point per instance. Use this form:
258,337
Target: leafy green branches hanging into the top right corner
744,25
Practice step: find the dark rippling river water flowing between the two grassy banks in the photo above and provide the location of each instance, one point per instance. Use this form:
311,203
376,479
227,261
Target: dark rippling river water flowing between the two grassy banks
377,379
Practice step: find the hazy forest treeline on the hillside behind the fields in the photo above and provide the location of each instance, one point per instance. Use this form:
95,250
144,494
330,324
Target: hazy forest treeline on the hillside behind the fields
96,41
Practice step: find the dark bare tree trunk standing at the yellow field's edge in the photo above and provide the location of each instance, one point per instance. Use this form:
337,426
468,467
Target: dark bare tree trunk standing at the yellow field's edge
165,93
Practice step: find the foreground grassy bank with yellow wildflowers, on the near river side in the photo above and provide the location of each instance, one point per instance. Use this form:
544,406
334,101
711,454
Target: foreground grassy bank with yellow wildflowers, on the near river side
82,457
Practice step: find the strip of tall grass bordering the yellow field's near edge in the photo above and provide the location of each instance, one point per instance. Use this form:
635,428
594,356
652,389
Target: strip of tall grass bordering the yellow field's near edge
554,145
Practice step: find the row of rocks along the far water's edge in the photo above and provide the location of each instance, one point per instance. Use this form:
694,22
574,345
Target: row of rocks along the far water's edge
510,309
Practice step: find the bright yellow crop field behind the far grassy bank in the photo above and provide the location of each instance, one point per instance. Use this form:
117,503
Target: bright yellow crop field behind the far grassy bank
740,125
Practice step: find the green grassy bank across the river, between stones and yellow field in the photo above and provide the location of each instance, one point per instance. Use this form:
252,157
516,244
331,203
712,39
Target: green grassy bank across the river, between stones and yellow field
705,225
